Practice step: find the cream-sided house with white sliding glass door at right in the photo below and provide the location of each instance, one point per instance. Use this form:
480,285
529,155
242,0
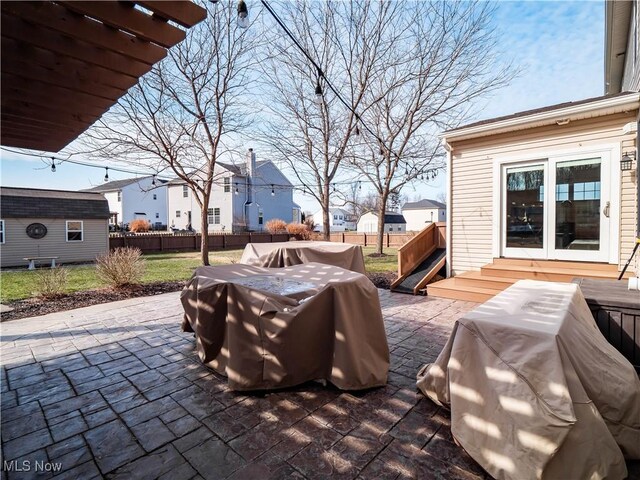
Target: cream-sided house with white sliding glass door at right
550,183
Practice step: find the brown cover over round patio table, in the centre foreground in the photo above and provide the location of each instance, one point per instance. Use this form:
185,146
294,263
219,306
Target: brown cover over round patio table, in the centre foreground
272,328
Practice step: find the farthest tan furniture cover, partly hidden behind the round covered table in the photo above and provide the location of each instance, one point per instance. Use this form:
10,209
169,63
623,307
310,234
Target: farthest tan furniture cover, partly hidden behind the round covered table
285,254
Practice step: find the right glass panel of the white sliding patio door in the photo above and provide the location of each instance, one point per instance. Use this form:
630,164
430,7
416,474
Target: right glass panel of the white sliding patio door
577,204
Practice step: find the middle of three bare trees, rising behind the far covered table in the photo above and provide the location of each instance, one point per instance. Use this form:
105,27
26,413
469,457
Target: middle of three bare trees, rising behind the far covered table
314,138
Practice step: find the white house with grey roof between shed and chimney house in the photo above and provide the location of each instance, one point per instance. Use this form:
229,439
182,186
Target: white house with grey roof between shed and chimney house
135,198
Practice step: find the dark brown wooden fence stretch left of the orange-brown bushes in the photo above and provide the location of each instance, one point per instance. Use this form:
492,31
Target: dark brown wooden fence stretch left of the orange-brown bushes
150,242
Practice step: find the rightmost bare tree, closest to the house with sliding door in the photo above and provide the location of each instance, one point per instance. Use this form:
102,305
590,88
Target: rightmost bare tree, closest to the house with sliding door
444,56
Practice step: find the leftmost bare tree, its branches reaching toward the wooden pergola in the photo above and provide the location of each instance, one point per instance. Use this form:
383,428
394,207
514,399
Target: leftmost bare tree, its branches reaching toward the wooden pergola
184,113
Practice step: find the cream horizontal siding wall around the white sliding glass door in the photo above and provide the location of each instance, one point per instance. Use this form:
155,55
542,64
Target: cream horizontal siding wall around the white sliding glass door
473,184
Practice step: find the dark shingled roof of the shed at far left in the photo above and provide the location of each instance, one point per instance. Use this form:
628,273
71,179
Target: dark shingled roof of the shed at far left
38,203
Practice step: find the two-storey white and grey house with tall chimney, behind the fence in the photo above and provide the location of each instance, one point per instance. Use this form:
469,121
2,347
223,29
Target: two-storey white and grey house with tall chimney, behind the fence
243,197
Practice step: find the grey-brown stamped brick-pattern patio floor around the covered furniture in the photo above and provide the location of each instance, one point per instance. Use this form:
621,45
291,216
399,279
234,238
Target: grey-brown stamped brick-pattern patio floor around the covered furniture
117,391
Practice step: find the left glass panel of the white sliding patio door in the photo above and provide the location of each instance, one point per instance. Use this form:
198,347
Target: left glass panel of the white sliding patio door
524,212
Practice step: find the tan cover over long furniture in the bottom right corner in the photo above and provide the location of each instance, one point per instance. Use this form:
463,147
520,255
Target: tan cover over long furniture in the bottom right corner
534,388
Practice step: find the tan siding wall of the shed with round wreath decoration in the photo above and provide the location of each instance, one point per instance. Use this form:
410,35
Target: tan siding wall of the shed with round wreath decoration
19,245
